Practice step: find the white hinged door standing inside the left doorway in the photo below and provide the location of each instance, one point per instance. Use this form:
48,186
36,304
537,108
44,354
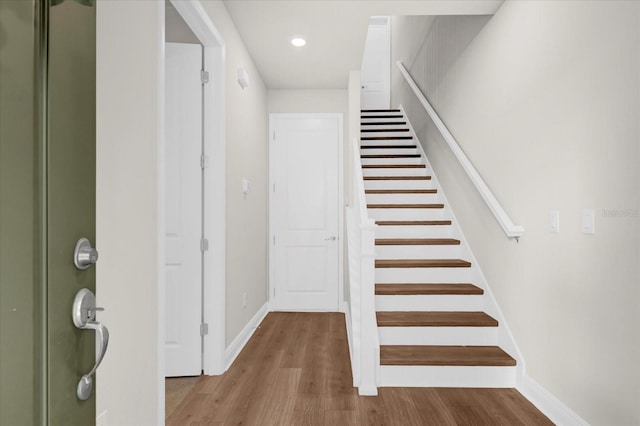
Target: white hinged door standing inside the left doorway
183,211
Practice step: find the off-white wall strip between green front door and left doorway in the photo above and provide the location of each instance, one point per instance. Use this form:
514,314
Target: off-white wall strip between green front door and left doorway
129,36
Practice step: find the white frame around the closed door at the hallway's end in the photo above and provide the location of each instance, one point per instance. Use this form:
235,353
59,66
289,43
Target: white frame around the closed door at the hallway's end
272,222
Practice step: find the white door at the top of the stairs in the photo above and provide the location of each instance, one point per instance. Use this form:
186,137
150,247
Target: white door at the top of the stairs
376,65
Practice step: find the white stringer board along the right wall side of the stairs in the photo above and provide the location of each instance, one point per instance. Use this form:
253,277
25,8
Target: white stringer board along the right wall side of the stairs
490,305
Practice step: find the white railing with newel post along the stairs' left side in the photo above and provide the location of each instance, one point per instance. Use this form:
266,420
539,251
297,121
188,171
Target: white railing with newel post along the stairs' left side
361,248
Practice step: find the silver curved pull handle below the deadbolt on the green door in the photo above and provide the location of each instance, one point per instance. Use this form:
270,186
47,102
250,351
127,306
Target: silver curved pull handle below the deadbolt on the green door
84,317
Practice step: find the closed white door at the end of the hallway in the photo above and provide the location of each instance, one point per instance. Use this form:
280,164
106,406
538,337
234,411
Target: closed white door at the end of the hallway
305,156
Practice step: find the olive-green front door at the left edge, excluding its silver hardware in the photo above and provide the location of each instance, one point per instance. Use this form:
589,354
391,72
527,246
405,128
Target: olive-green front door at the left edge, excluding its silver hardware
47,203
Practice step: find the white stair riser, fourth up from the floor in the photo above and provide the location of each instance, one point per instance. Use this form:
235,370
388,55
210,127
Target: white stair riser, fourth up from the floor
422,275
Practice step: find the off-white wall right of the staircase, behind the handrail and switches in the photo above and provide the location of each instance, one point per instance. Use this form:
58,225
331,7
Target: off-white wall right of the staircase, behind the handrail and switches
544,98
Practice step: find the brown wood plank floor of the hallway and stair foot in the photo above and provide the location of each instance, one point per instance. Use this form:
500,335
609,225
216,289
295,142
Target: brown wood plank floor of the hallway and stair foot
295,370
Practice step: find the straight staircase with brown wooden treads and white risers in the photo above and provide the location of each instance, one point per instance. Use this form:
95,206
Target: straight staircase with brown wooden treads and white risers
436,323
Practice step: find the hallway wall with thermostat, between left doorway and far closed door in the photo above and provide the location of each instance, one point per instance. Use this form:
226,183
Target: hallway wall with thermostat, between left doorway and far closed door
247,157
